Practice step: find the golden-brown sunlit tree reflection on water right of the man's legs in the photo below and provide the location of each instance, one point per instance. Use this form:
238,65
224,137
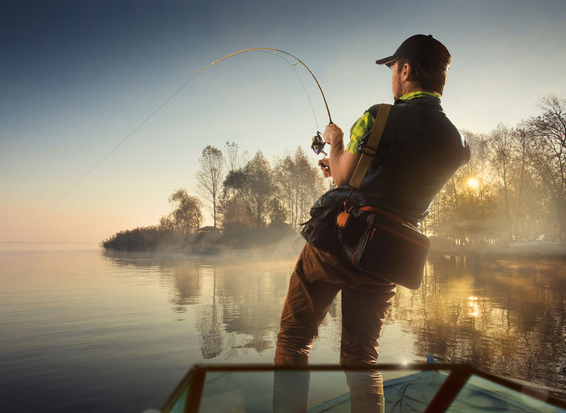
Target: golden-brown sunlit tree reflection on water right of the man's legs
505,316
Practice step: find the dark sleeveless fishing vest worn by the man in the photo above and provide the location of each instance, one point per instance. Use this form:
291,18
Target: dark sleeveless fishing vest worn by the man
419,151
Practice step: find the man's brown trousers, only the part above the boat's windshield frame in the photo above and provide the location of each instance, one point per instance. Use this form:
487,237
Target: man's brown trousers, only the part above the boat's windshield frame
317,279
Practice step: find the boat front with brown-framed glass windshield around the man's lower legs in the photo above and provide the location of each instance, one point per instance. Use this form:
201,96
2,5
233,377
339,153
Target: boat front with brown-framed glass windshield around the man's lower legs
422,388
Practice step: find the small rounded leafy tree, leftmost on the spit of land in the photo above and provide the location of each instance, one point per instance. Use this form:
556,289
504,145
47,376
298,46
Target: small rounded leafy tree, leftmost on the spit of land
186,217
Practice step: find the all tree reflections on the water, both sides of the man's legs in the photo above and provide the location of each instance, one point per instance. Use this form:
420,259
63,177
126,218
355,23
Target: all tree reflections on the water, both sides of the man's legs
506,316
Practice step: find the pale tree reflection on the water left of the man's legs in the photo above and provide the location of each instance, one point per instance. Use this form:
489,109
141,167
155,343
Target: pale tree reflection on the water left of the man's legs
238,301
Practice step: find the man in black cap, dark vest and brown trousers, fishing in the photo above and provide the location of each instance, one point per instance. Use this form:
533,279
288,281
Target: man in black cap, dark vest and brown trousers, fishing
419,151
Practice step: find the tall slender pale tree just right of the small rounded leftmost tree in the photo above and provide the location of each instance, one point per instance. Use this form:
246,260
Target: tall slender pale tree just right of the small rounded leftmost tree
210,176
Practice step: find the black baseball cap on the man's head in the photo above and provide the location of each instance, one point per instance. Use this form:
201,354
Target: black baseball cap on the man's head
423,49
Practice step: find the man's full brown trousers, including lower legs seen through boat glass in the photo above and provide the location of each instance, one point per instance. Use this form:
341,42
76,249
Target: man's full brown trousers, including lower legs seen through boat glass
317,279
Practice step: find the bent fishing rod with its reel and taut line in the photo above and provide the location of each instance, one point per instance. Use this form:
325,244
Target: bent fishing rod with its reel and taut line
317,141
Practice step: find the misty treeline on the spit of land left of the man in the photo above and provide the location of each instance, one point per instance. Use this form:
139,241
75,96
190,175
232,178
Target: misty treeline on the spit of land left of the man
251,201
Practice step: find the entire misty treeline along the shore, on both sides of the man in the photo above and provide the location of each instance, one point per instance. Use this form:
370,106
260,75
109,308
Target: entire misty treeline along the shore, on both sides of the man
513,189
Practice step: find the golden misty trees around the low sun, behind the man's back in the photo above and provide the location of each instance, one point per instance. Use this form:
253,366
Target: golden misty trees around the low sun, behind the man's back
514,187
